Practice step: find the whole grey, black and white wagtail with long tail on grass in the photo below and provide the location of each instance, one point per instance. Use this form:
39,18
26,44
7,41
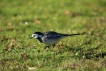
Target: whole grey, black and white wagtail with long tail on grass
50,37
